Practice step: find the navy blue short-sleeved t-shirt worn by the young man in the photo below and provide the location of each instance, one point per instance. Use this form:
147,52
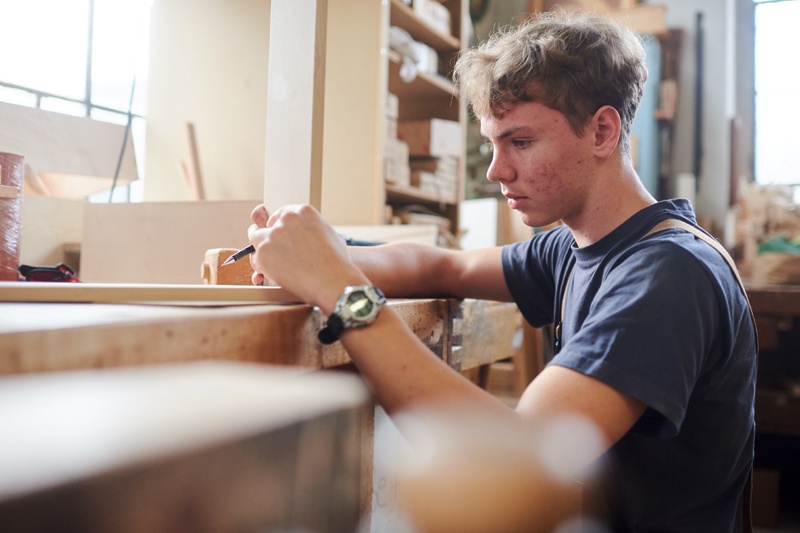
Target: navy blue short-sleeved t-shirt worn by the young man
660,318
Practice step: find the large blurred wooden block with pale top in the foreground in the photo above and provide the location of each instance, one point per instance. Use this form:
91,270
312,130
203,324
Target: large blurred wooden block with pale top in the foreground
192,447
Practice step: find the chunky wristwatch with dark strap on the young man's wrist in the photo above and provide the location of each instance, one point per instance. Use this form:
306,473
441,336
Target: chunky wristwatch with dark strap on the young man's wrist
358,306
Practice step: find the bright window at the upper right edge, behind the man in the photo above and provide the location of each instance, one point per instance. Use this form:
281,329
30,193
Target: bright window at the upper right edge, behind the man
777,159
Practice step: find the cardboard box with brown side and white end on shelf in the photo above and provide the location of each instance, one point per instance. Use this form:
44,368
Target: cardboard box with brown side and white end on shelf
431,137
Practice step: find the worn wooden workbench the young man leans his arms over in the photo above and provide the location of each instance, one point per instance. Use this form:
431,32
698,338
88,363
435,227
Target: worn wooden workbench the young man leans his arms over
37,337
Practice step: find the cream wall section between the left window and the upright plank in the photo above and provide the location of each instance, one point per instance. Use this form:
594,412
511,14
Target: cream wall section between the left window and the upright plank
208,66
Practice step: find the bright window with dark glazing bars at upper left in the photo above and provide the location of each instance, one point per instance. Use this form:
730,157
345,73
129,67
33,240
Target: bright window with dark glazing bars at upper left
78,57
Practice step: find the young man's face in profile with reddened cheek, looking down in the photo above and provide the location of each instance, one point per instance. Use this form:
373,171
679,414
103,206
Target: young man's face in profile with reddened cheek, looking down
544,168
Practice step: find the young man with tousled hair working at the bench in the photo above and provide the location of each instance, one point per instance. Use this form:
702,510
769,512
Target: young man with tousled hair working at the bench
655,343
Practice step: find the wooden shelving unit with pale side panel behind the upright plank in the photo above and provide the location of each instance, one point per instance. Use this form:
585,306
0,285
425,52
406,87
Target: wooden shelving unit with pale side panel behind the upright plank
361,71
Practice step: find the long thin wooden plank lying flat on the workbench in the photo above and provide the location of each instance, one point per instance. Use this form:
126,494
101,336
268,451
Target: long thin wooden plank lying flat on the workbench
12,291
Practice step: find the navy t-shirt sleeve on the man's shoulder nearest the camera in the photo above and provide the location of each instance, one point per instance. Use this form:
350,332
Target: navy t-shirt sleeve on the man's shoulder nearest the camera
646,332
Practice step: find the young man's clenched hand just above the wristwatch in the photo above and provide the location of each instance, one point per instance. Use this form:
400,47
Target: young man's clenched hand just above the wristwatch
299,251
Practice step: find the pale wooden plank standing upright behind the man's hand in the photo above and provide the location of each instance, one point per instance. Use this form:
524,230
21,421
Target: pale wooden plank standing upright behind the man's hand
295,103
